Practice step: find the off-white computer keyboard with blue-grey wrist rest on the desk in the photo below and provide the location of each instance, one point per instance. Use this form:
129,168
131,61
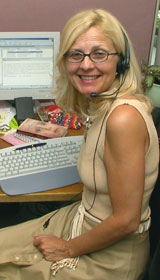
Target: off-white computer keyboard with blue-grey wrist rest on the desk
36,167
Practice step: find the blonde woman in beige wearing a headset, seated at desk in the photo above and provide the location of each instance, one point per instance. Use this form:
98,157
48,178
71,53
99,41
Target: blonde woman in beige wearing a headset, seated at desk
105,236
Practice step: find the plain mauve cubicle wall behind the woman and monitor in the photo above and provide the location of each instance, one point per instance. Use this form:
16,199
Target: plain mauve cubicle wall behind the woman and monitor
50,15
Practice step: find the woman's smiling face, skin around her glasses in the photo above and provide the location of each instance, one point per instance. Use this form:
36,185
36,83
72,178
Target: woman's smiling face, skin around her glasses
88,76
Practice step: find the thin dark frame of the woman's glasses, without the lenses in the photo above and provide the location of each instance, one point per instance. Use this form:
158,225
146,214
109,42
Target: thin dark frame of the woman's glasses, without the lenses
66,55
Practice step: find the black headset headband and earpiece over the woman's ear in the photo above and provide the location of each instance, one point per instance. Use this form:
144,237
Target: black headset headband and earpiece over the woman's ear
124,61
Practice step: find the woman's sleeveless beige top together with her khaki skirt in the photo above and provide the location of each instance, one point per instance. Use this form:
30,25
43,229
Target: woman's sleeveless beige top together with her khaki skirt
125,260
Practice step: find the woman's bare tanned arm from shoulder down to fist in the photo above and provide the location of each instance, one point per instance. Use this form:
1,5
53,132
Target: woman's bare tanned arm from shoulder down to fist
125,146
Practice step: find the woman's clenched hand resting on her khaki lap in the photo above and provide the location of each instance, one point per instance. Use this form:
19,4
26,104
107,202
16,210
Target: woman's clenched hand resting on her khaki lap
52,247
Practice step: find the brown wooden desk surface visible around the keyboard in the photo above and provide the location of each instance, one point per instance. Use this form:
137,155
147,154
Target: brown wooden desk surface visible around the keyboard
70,193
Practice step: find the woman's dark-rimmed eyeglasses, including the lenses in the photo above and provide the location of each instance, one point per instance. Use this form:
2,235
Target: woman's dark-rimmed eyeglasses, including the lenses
95,56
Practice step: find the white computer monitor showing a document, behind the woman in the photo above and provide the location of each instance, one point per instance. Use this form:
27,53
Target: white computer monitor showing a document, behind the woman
27,64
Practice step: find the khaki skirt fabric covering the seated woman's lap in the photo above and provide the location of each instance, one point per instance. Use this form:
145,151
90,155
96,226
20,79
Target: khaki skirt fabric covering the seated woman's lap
21,260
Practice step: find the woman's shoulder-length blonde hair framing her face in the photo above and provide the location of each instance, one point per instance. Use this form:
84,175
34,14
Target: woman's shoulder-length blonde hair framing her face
128,83
